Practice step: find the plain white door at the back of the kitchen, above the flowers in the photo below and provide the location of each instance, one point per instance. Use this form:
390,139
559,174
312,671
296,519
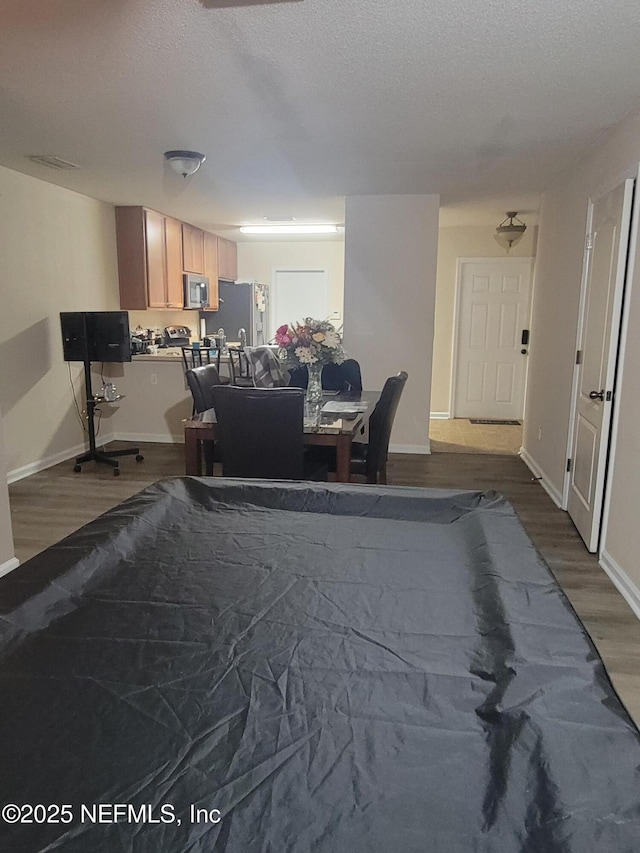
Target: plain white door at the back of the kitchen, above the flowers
298,294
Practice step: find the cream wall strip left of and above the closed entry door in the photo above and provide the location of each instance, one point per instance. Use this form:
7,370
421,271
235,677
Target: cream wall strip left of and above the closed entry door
454,243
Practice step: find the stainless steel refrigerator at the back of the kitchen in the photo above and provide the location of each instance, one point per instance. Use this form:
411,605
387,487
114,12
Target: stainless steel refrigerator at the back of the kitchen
243,305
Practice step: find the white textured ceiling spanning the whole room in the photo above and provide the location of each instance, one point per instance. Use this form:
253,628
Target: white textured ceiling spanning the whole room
298,104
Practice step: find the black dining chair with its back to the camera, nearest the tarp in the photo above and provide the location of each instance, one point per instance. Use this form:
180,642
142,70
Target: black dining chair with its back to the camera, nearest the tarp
261,433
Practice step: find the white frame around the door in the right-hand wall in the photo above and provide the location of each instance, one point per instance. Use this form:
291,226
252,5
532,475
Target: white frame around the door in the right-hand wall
619,318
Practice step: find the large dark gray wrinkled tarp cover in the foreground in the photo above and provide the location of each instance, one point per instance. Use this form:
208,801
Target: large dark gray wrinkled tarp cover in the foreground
333,668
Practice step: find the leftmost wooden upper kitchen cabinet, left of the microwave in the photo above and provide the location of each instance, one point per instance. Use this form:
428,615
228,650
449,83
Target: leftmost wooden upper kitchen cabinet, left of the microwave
149,259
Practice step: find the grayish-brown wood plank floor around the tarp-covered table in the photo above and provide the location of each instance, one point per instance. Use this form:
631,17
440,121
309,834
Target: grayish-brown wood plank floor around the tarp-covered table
48,506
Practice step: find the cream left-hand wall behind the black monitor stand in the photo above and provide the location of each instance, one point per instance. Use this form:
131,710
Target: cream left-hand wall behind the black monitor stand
58,253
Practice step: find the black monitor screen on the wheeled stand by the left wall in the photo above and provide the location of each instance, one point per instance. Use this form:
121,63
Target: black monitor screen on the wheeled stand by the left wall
96,336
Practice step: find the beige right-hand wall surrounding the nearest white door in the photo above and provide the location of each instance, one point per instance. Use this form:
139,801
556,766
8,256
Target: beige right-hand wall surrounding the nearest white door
553,342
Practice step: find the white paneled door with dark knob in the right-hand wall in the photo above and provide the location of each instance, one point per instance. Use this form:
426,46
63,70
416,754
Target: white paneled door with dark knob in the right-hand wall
605,261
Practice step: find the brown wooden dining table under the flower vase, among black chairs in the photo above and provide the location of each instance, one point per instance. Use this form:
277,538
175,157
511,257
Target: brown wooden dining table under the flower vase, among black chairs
335,421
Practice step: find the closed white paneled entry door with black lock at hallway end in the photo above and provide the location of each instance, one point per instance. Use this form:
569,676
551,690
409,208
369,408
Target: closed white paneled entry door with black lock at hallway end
490,359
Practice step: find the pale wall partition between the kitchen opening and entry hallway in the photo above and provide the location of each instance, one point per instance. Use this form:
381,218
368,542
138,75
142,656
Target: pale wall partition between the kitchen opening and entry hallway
390,281
